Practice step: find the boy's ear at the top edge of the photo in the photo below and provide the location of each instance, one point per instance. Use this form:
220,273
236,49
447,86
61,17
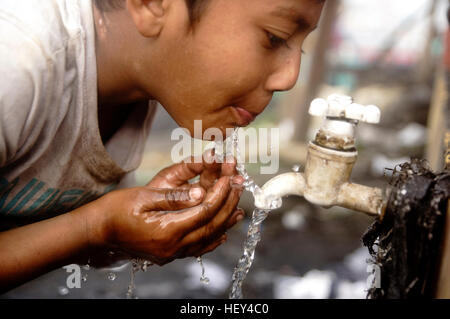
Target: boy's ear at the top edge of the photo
148,16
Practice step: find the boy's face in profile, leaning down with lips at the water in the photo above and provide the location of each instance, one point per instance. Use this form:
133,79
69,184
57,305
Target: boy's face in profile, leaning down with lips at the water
234,59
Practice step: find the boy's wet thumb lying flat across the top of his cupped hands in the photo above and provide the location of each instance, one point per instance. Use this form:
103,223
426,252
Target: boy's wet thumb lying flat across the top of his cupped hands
172,198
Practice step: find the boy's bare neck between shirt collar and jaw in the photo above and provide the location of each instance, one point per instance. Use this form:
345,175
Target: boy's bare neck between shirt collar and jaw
115,60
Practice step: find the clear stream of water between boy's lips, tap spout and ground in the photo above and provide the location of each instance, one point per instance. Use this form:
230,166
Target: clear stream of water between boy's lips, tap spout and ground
254,229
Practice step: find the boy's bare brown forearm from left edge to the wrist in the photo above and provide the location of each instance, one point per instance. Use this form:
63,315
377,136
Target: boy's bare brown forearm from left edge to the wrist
30,251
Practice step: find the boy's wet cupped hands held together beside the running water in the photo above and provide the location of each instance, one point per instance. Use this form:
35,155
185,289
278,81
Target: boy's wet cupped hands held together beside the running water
171,218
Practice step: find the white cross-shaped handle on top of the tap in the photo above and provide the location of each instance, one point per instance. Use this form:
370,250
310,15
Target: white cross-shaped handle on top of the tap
341,106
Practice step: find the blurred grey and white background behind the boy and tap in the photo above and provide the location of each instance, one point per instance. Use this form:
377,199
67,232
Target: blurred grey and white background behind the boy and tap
382,52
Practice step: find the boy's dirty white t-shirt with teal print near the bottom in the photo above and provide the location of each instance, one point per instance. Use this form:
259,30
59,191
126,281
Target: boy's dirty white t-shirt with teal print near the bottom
52,158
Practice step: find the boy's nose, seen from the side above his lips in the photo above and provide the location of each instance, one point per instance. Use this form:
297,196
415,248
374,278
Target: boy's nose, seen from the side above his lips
286,72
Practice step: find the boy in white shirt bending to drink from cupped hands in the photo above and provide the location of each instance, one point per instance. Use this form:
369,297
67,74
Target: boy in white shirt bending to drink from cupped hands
74,115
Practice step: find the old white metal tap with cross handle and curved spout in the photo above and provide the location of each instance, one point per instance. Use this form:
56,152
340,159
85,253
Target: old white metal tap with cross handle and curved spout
331,156
